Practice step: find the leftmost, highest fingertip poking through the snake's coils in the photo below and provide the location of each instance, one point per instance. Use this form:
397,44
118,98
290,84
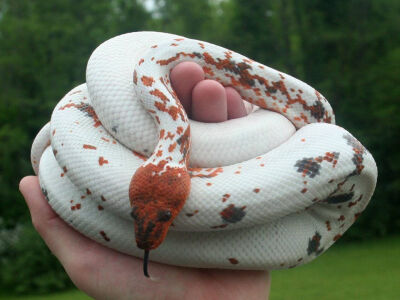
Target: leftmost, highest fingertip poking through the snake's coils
184,77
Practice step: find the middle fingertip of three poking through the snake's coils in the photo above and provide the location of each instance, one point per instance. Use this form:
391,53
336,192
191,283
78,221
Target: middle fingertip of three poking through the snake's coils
209,102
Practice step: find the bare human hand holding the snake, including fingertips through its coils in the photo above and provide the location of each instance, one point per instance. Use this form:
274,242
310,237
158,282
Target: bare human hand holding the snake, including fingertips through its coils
103,273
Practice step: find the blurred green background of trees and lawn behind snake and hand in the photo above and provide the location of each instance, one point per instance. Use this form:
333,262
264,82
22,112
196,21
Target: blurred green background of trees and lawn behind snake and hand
349,50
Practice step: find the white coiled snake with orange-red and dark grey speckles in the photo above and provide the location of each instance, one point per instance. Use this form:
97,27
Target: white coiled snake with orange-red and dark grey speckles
122,163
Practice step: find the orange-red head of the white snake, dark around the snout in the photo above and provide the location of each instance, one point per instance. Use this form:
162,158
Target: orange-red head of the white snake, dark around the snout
157,195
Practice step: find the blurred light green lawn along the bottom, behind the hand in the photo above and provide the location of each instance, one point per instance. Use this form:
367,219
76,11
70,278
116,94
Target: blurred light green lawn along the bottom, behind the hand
366,270
